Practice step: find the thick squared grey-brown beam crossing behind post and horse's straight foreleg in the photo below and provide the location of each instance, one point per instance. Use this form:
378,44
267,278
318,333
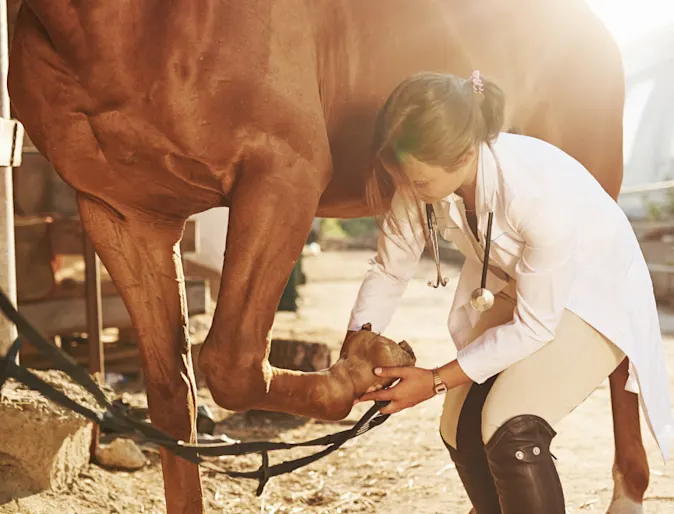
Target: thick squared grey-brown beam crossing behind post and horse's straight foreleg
64,315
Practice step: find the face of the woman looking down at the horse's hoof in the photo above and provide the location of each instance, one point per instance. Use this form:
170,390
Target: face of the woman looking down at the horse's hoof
433,183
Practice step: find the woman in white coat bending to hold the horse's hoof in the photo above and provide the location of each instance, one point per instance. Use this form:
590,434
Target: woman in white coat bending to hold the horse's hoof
573,294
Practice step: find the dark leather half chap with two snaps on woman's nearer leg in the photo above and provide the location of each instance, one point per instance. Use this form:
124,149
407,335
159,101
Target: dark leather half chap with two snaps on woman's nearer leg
524,474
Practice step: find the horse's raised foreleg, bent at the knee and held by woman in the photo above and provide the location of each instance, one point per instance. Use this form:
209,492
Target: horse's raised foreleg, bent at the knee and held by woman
272,207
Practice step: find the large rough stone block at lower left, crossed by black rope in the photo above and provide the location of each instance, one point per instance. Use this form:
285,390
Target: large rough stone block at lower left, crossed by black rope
42,446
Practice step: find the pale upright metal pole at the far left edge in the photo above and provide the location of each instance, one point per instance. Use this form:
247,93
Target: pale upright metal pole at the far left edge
7,253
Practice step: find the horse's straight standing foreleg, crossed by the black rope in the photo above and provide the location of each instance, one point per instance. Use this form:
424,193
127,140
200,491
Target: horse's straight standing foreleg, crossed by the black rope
143,259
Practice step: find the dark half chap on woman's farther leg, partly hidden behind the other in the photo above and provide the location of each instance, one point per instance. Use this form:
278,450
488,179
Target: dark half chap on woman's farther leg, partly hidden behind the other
470,457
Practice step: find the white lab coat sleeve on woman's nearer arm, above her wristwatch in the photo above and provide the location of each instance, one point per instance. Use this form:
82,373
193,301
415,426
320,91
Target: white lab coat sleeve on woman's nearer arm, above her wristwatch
544,276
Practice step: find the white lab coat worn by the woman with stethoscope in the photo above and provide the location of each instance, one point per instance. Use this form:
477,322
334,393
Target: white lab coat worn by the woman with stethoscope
565,242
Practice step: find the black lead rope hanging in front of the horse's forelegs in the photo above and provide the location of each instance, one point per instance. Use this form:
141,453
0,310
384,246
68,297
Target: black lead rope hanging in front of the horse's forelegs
117,417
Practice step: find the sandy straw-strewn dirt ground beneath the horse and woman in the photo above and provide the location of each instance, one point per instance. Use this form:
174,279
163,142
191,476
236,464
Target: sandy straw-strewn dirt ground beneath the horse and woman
398,468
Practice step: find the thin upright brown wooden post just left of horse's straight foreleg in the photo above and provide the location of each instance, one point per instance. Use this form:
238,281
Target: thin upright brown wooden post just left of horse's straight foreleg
92,285
